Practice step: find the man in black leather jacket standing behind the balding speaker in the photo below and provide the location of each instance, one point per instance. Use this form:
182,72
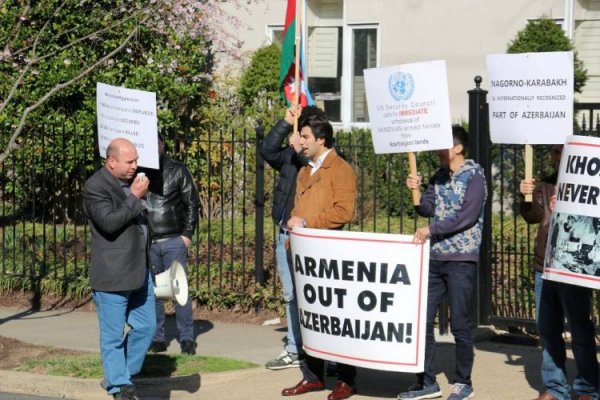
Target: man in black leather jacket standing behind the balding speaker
172,203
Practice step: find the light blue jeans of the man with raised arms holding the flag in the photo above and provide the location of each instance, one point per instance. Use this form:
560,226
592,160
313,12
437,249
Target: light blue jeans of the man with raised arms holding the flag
286,275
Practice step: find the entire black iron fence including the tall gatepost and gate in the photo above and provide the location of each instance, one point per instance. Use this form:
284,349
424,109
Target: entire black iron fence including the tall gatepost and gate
44,241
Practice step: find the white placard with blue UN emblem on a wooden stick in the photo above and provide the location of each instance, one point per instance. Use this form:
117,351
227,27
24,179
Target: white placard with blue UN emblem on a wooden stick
409,108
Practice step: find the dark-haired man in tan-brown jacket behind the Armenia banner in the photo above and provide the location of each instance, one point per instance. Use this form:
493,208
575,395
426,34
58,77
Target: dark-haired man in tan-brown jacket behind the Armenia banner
325,199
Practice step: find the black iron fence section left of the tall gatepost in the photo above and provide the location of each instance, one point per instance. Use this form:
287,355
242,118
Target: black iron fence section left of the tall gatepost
44,239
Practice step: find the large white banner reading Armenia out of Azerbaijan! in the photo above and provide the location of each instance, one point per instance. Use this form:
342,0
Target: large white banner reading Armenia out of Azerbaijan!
362,297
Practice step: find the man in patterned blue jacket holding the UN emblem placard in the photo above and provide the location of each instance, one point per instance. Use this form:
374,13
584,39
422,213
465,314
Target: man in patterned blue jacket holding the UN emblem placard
454,200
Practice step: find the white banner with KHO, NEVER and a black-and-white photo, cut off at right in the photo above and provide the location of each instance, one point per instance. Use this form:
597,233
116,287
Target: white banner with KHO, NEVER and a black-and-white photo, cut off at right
573,250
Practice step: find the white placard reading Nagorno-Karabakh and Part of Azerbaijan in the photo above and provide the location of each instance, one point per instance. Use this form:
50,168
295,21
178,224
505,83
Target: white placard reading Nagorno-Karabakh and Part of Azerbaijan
530,97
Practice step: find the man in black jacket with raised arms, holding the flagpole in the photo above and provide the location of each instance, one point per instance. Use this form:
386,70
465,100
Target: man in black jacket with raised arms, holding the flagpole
287,159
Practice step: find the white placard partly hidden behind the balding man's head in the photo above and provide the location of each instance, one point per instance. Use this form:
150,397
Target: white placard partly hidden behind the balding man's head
130,114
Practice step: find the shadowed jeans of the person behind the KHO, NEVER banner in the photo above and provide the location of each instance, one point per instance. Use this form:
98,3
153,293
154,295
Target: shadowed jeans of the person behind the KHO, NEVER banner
560,300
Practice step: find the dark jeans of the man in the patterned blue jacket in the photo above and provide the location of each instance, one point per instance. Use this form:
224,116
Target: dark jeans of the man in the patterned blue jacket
457,279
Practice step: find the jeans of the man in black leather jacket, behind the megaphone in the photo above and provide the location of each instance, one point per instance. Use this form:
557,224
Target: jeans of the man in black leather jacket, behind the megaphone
162,254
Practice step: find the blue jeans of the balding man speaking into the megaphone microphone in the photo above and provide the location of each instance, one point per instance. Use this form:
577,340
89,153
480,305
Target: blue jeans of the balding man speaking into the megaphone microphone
123,353
